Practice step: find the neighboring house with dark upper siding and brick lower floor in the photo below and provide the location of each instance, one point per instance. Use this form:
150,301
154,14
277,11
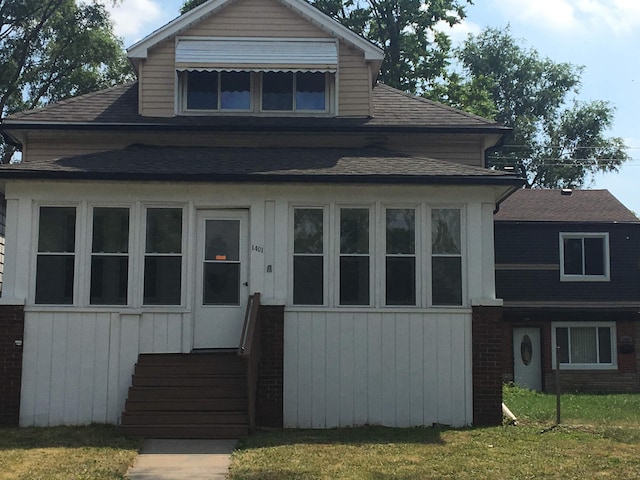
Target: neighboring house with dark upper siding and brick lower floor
568,270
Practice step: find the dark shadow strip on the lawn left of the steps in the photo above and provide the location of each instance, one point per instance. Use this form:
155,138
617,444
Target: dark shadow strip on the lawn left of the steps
100,436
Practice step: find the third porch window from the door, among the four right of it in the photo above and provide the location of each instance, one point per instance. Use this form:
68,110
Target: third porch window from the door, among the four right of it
400,256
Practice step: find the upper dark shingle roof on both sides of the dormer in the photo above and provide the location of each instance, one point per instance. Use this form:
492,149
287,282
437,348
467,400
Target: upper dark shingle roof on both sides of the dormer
119,106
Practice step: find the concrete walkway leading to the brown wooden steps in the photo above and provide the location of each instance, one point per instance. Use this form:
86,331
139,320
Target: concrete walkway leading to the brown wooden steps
183,459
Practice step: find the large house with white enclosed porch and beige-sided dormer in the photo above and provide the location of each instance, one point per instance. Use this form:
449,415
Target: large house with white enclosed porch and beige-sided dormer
256,153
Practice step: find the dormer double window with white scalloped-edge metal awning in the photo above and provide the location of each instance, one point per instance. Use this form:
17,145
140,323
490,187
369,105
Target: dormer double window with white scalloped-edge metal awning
268,76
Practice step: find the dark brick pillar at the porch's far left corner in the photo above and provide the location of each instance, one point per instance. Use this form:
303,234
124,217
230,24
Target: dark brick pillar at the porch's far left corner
11,330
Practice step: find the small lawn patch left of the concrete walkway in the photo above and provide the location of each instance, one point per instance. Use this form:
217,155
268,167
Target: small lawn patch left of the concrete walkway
96,452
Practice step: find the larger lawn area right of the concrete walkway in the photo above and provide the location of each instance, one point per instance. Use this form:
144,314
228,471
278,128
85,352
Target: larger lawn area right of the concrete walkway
600,439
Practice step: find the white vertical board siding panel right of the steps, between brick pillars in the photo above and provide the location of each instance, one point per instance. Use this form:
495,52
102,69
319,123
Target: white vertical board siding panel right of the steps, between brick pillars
399,369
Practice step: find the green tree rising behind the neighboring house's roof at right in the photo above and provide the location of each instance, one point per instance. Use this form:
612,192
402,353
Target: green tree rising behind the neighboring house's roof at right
555,142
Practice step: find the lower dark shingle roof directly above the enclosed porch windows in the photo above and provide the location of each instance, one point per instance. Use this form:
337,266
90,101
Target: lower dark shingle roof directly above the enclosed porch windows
370,165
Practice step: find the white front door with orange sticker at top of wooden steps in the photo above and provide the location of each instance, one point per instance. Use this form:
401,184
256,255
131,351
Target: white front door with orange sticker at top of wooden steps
222,280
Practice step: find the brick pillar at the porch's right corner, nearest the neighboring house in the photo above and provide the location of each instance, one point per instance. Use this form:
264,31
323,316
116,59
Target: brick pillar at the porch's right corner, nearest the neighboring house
488,368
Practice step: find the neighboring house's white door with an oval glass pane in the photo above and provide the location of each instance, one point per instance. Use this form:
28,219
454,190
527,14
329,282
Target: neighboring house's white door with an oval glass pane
527,361
